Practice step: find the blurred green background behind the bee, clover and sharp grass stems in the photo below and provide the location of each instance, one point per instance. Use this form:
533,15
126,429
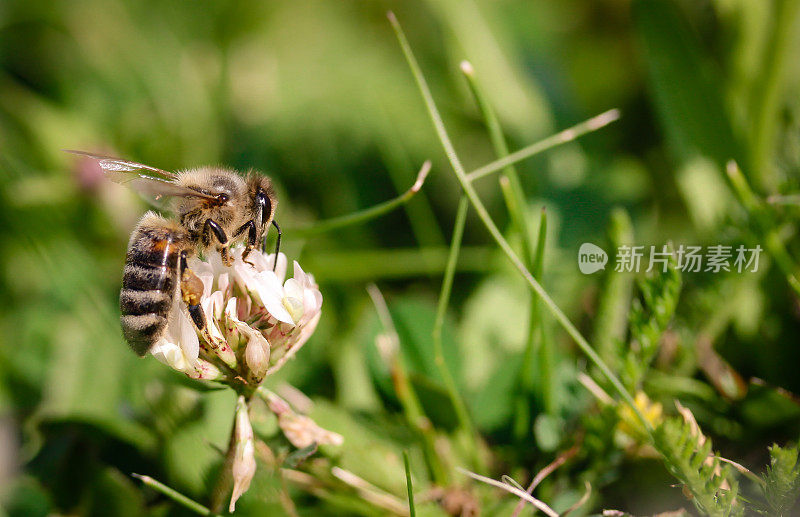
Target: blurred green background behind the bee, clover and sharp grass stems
318,96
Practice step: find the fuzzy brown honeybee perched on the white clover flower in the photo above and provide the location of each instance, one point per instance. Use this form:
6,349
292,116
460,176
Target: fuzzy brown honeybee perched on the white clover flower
214,207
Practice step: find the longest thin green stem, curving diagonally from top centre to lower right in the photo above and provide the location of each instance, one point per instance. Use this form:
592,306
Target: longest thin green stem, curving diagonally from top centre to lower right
477,204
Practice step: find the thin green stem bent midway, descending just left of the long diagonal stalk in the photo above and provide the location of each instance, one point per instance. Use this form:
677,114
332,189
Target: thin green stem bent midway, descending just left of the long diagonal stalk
464,421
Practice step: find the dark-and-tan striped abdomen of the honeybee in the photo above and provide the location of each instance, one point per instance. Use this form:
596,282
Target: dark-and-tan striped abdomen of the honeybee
149,282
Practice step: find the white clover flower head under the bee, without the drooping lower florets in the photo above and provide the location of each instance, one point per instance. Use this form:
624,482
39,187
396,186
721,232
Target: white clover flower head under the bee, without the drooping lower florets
256,321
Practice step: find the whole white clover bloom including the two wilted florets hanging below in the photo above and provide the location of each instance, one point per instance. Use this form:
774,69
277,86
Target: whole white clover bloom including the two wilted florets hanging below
256,320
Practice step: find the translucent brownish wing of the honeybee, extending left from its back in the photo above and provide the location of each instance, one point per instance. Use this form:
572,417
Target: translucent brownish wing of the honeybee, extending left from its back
151,182
